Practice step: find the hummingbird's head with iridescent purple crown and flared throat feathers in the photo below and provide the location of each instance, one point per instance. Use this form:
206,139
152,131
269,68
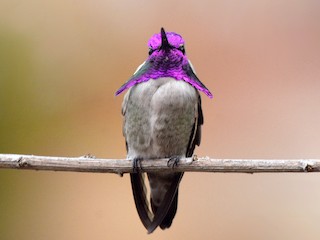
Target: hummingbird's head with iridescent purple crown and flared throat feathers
166,59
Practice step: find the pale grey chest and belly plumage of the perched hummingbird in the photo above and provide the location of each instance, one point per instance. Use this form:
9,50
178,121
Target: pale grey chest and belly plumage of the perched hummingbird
159,116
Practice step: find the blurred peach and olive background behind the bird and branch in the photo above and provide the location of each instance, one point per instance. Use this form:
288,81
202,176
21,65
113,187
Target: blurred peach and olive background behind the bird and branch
62,61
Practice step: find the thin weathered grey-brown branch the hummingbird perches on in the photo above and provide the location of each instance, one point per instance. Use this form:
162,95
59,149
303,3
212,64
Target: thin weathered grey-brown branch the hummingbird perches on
120,166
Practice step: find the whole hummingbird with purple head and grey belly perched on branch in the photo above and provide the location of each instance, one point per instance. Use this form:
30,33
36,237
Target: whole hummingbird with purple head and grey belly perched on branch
162,119
